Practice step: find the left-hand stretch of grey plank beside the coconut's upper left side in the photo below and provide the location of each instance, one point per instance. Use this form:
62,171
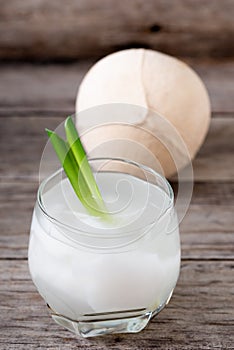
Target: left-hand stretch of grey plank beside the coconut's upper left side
30,87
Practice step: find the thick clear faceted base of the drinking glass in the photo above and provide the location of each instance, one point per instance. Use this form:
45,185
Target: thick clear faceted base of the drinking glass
91,325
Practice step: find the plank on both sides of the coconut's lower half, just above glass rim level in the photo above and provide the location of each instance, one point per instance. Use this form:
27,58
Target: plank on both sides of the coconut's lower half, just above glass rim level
213,163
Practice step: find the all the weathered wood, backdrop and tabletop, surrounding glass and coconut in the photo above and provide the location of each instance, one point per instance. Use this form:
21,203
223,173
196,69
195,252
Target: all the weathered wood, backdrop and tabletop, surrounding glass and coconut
46,47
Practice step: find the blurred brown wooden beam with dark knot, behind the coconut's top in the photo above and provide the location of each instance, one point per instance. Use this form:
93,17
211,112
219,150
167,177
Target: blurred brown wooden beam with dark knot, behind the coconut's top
53,29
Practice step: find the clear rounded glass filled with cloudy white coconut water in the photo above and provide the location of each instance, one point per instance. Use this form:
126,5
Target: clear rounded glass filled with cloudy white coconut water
106,277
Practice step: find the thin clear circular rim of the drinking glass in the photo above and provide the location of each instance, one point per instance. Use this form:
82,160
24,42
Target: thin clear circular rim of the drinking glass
106,234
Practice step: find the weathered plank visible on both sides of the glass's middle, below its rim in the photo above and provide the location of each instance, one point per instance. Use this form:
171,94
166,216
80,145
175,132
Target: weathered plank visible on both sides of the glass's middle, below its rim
206,231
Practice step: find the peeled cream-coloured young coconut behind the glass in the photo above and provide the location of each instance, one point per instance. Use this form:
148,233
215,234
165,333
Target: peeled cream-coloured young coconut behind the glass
162,85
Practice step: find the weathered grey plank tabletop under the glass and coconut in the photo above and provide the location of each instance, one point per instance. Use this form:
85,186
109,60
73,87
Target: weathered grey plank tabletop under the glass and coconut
201,312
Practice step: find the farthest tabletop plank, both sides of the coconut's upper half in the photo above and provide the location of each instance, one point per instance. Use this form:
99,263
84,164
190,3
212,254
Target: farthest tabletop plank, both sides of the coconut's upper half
27,89
